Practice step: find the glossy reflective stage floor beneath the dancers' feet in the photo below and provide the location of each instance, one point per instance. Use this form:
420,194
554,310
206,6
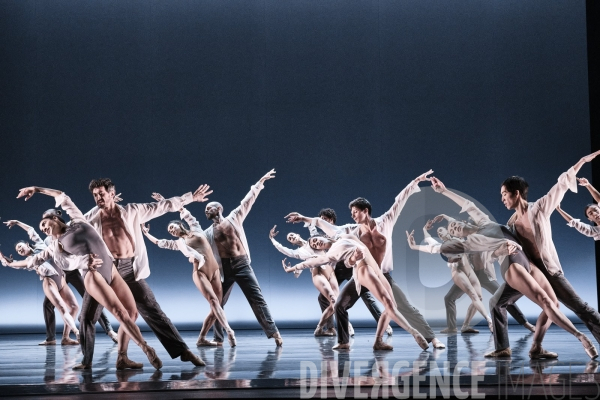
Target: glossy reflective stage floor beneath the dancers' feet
305,367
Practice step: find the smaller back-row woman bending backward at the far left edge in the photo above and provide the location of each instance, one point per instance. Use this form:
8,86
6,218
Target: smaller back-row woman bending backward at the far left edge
53,282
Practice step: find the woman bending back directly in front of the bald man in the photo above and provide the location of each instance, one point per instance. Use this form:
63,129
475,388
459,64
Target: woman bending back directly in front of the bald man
193,244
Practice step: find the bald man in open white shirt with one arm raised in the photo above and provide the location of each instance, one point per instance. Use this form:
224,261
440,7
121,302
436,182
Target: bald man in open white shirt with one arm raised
230,247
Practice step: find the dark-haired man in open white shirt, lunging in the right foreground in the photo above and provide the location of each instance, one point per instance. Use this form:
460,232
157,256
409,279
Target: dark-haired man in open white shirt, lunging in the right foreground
531,224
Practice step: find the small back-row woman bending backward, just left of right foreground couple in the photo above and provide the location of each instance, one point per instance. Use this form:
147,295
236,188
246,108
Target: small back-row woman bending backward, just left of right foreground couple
462,273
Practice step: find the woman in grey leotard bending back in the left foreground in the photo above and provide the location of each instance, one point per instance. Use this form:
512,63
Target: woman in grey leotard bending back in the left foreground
78,246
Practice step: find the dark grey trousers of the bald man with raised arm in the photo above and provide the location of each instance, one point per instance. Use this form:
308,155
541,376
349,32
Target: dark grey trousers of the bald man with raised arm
238,270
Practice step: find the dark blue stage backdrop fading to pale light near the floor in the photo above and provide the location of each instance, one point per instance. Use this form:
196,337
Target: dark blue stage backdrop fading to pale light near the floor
343,98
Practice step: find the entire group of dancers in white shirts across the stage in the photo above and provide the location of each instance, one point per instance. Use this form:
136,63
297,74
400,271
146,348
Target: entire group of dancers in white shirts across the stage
103,255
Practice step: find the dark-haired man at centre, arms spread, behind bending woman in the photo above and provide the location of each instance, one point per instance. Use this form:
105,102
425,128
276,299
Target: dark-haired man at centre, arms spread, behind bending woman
376,234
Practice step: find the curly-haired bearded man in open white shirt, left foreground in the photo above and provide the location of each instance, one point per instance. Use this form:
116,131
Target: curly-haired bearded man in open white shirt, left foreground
119,226
